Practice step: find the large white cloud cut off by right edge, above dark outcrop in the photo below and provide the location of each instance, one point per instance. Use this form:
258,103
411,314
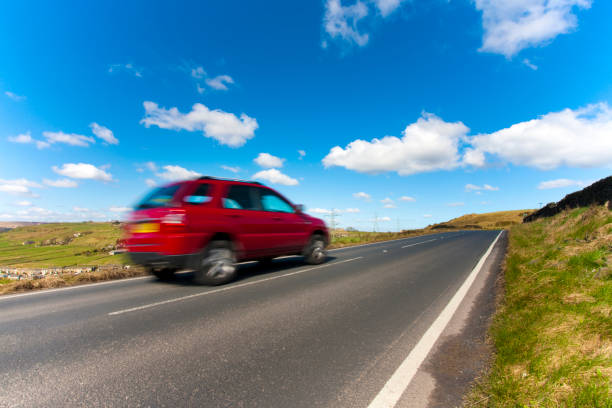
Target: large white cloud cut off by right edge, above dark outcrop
573,138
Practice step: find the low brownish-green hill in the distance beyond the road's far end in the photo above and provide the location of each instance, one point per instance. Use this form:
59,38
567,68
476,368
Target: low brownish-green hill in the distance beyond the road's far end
493,220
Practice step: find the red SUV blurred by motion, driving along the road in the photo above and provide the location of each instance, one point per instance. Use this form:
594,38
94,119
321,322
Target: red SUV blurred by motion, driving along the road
210,224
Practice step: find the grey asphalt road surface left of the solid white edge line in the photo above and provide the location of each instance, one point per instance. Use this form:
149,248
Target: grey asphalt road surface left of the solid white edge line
289,335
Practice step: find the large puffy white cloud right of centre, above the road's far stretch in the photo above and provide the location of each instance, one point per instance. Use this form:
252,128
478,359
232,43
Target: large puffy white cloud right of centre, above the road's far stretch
429,144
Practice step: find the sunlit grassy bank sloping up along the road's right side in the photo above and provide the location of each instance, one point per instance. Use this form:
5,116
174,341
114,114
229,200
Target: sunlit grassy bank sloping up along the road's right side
553,331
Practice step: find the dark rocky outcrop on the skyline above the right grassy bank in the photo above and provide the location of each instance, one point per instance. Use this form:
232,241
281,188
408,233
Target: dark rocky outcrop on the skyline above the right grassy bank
597,193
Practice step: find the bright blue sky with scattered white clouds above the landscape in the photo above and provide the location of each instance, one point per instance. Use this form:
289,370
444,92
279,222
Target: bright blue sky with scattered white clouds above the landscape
405,111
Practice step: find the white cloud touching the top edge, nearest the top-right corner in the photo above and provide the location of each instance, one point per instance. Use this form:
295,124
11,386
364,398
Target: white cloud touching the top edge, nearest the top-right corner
510,26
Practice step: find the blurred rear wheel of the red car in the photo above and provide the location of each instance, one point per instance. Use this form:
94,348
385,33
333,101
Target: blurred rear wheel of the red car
217,264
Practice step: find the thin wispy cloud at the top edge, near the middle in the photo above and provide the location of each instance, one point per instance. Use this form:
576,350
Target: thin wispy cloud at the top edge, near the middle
340,22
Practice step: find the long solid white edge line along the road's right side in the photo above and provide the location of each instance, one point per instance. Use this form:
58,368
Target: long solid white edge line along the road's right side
392,391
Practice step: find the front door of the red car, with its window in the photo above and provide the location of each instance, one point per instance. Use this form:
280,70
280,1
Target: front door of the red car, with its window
287,226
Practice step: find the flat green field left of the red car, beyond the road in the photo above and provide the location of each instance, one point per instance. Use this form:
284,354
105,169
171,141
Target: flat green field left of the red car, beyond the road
54,245
